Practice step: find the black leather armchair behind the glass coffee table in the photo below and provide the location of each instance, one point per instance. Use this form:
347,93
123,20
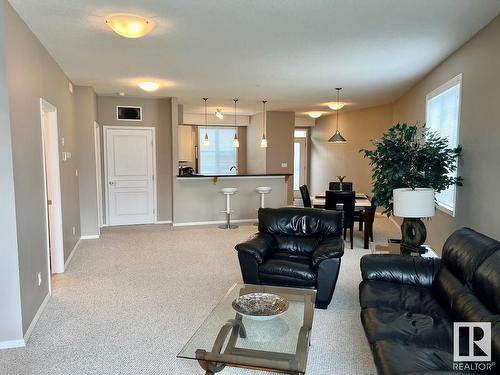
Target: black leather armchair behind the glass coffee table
295,247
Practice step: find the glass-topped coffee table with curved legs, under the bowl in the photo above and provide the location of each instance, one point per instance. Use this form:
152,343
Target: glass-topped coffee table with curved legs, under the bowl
281,344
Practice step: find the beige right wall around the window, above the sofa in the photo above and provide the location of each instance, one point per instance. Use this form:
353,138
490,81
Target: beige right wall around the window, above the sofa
477,201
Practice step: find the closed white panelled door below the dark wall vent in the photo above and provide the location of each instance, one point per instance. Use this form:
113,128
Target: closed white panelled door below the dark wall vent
130,170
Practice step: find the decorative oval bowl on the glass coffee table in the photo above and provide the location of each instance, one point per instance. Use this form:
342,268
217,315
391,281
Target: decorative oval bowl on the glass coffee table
260,306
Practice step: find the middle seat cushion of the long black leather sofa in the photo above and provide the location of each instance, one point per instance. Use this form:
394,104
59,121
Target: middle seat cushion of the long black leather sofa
407,327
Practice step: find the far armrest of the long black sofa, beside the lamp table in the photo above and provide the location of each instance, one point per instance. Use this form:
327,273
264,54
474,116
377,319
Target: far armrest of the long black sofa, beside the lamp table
401,269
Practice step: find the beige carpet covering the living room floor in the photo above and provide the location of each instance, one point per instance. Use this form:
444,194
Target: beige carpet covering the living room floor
129,302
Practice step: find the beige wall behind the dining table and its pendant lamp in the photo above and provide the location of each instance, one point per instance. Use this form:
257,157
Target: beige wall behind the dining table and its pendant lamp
331,160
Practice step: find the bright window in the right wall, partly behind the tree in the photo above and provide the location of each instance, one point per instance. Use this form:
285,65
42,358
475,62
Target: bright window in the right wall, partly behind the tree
443,118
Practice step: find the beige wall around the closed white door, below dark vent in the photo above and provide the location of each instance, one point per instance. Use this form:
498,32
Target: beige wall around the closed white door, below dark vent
156,113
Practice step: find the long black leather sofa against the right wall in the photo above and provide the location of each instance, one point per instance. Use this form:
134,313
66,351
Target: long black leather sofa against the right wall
409,303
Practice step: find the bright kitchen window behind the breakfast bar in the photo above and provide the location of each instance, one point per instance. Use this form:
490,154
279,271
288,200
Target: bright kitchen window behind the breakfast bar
220,155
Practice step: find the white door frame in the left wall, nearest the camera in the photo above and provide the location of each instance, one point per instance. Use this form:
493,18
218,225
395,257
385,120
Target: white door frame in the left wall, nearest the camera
54,227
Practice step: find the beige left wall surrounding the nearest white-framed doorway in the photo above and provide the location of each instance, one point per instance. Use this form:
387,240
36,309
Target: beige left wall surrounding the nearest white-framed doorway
33,74
